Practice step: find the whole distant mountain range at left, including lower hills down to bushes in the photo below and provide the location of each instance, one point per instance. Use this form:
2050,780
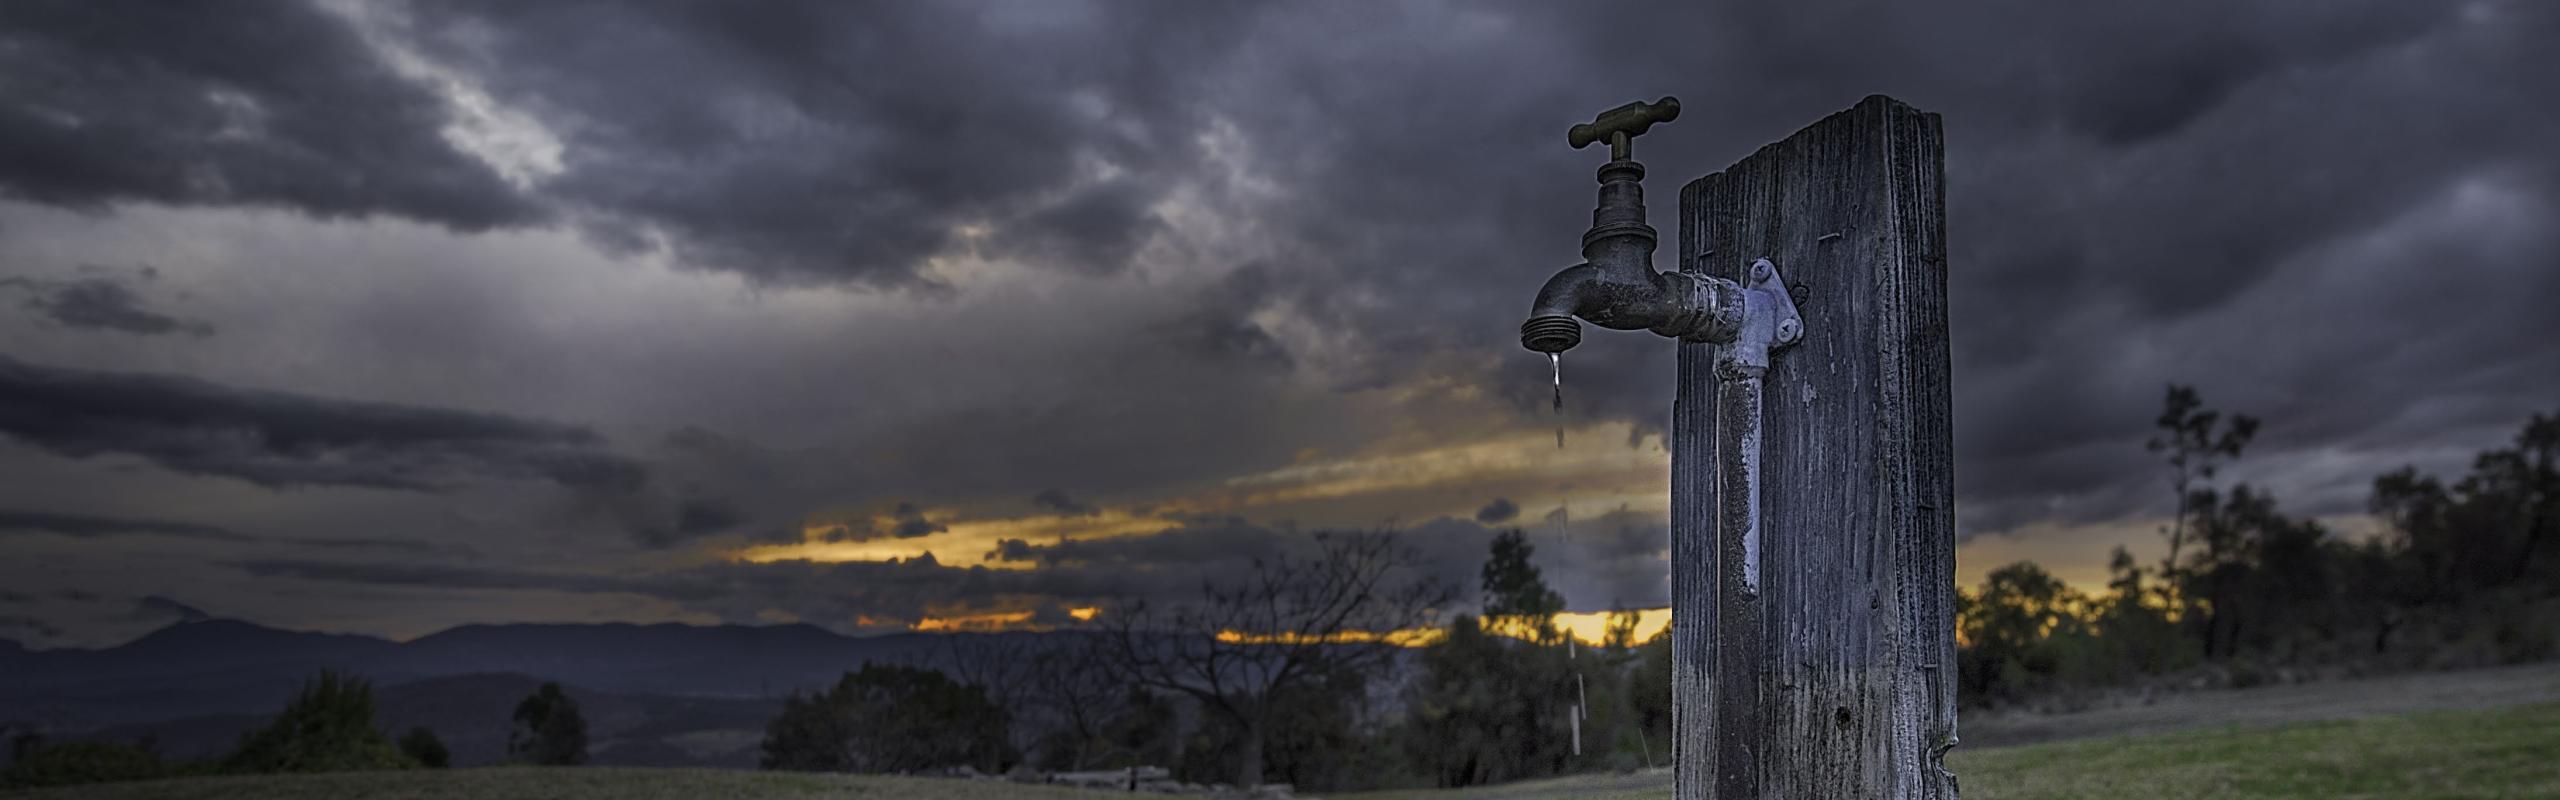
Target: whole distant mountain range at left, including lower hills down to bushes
652,694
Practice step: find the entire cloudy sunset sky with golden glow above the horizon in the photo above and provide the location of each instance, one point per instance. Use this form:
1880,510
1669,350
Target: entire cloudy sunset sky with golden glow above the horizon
396,317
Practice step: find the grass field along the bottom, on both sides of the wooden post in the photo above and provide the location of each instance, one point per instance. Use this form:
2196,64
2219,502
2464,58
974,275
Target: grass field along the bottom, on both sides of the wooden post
2500,753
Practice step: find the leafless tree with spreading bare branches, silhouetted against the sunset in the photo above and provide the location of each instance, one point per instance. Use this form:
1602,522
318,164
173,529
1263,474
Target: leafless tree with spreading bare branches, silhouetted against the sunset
1284,627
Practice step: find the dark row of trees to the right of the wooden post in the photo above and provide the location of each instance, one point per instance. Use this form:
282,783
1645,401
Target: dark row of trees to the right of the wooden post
2461,573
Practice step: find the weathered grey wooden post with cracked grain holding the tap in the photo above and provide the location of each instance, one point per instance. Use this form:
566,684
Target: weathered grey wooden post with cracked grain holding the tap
1837,678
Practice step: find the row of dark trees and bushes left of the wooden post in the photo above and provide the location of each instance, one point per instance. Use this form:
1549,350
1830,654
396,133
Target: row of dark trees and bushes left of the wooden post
1322,673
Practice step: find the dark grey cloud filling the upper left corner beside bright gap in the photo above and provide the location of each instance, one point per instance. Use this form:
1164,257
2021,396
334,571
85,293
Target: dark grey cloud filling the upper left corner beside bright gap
201,104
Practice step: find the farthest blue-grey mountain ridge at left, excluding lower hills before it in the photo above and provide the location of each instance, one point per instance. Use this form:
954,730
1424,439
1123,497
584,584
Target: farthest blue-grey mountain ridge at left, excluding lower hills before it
229,668
